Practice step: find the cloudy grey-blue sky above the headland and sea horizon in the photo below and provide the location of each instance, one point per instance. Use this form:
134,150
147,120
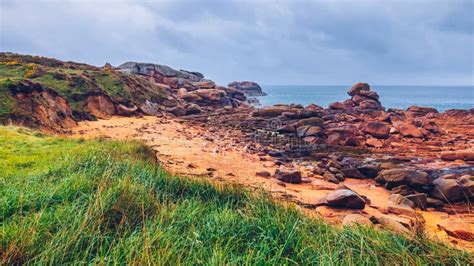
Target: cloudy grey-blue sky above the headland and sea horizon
389,42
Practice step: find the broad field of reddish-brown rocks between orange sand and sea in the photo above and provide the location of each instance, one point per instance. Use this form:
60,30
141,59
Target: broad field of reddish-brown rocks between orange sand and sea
315,133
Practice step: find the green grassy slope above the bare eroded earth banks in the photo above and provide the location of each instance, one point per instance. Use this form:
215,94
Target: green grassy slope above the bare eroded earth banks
74,82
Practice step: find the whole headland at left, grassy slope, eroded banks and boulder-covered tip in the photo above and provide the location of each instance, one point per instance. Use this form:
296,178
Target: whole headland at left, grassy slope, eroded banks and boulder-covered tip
47,93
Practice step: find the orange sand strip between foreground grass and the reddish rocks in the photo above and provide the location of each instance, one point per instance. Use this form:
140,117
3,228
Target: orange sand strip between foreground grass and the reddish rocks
188,149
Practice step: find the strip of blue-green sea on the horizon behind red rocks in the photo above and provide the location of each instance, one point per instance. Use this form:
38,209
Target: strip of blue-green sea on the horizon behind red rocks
439,97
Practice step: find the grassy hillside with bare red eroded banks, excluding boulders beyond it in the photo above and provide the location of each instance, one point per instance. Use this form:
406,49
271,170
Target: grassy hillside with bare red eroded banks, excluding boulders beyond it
47,93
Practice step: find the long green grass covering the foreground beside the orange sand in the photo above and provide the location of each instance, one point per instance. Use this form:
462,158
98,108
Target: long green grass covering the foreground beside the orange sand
67,201
